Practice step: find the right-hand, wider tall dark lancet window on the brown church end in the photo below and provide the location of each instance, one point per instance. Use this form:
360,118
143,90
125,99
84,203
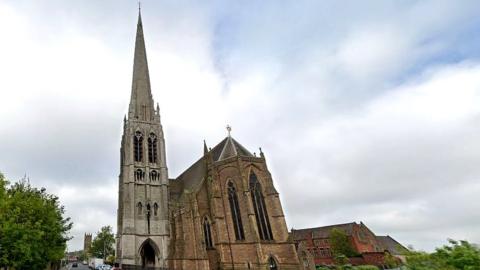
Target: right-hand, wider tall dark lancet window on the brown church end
261,215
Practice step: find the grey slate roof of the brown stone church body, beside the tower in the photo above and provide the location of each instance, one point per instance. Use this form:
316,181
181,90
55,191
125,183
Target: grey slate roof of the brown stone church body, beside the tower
191,178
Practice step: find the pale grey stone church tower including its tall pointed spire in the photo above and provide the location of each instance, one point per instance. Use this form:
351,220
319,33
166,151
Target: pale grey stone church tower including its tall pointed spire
142,225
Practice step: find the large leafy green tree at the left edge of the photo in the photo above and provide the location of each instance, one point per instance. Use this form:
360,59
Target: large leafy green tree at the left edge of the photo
33,231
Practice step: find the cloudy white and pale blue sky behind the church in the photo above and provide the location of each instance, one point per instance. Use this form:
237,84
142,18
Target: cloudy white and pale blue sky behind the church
365,111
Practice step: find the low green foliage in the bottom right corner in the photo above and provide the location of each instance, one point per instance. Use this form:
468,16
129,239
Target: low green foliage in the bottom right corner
456,255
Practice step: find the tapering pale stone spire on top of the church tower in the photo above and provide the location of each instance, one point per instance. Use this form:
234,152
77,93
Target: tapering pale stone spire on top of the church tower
141,101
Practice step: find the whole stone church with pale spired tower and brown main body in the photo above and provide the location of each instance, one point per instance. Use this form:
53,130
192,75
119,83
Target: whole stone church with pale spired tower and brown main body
223,212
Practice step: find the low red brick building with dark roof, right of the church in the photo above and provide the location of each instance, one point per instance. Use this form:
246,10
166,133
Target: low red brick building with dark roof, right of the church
315,243
